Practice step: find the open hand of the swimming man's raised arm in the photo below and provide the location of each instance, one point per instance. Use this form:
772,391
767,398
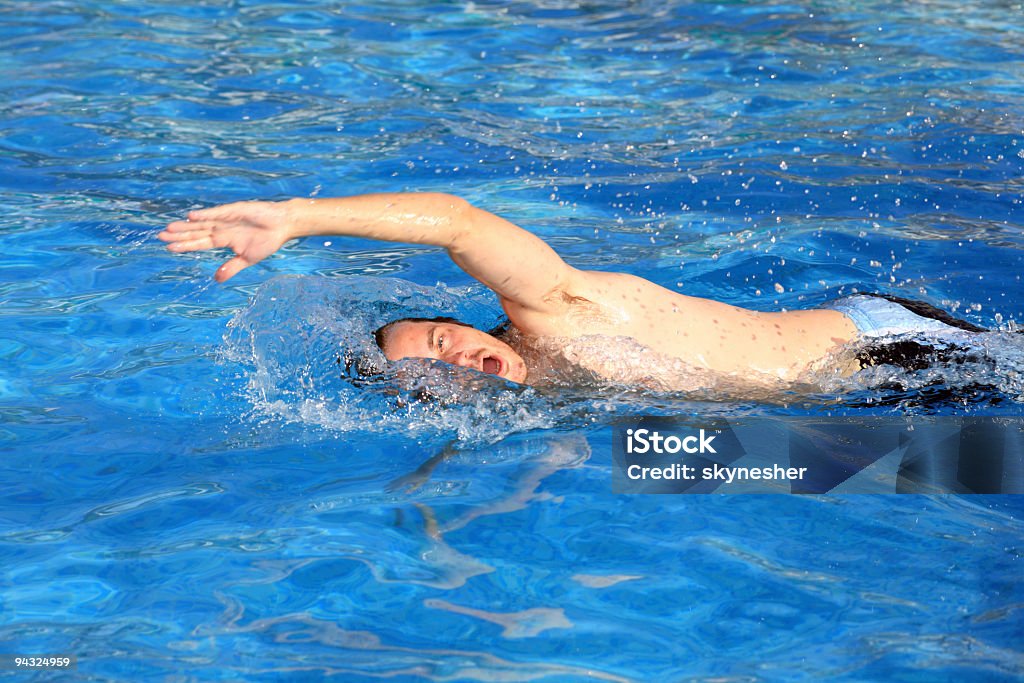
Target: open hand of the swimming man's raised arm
252,230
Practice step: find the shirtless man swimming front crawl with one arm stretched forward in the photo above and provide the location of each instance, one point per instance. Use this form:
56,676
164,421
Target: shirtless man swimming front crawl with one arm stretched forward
567,324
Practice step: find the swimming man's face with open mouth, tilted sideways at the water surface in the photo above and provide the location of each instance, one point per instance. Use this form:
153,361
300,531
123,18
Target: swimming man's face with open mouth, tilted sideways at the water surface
451,341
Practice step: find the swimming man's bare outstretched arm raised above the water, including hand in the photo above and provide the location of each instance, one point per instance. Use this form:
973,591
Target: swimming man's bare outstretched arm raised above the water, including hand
517,265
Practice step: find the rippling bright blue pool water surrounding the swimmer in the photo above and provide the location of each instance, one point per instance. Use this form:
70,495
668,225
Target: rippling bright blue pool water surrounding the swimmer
195,489
